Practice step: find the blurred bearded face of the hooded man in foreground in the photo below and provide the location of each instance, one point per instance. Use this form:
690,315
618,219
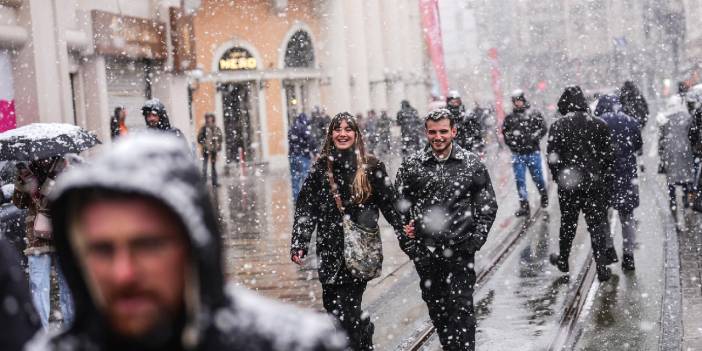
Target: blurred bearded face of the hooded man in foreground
134,254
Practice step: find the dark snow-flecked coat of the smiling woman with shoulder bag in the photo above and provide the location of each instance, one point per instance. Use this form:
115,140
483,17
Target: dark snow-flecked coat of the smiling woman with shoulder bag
316,209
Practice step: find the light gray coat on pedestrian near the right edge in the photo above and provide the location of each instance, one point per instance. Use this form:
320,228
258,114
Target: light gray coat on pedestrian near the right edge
674,147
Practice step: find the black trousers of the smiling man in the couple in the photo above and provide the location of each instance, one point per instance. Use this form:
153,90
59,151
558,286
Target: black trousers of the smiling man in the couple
446,278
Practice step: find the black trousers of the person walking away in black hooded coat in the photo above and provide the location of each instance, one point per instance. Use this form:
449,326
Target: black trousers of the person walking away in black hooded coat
594,205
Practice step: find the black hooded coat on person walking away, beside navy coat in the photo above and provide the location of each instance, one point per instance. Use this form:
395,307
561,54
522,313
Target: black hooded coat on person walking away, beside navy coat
580,152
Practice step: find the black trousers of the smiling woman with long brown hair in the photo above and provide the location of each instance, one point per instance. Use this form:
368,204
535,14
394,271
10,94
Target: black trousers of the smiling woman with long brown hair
344,302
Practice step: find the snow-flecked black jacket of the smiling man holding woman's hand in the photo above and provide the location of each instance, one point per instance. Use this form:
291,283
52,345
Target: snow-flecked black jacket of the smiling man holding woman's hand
452,202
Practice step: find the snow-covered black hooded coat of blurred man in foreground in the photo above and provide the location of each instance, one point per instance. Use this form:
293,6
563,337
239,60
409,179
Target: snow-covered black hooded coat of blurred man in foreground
223,317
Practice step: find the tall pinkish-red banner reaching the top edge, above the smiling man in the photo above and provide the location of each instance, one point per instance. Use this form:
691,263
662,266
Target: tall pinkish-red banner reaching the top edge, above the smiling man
431,27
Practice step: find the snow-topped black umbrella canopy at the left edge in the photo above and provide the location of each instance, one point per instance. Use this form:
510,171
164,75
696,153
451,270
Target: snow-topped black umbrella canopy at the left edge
43,140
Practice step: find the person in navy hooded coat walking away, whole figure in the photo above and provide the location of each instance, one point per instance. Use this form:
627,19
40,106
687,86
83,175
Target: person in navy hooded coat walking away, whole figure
626,142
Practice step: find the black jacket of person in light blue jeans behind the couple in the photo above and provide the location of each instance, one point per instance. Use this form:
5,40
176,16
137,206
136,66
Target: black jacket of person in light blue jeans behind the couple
523,130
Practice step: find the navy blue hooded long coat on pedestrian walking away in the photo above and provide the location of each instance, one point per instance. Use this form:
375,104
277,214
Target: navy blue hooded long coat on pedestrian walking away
626,141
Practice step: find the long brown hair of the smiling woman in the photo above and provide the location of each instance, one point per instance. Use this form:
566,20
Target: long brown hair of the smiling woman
361,187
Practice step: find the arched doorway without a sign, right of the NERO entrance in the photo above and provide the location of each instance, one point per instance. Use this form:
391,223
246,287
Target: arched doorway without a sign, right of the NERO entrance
299,54
